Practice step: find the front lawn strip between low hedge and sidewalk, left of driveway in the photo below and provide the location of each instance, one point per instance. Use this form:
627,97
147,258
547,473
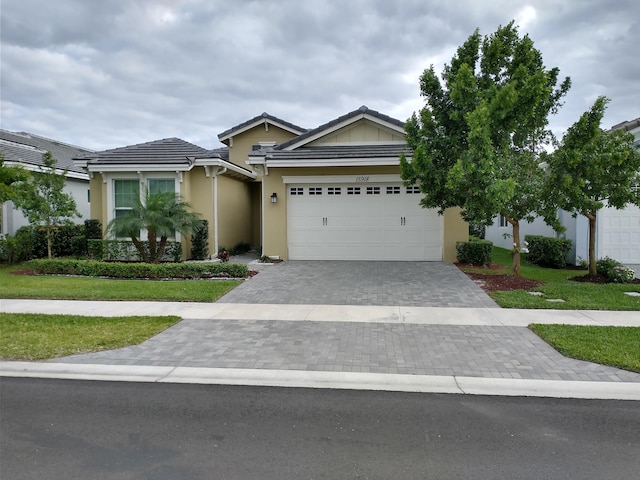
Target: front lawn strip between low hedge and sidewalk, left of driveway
83,288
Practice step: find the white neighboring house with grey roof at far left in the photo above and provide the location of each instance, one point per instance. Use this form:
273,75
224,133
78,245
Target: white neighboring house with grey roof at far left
26,149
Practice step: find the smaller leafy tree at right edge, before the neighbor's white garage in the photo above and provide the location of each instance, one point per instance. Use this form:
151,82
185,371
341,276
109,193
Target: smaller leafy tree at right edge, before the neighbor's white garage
593,169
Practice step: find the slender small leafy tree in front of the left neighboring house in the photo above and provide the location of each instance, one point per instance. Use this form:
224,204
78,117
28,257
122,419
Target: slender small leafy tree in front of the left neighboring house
43,201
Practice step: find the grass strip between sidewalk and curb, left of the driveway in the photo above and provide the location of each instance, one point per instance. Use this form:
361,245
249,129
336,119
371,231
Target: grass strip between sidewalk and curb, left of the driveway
38,337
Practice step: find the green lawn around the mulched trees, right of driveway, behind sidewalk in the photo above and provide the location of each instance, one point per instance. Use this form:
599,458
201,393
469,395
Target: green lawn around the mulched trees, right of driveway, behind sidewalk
576,295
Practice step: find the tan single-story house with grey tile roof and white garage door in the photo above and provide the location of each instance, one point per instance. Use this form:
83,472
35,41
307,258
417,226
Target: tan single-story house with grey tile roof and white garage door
333,192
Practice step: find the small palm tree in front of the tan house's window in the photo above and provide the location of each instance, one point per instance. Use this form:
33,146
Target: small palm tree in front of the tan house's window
161,215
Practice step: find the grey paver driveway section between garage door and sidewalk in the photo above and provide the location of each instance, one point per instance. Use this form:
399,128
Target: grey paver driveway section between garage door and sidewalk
427,284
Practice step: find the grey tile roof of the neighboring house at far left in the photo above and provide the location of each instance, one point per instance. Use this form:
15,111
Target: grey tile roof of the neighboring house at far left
28,148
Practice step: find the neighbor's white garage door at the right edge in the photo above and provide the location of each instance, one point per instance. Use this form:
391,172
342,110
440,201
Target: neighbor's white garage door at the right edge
620,234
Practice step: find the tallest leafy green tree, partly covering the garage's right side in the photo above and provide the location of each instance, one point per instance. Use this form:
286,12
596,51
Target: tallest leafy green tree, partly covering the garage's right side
477,142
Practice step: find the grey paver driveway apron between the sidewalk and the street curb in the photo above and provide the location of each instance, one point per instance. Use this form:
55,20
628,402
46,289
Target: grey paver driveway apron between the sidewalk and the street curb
474,351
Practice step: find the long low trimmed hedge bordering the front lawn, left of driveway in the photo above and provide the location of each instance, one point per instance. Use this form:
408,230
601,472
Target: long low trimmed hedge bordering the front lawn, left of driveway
91,268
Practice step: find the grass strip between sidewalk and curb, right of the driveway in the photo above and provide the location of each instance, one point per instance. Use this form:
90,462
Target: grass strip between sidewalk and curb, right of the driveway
614,346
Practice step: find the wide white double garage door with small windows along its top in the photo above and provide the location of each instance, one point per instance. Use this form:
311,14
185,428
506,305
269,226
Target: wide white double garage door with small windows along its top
361,222
